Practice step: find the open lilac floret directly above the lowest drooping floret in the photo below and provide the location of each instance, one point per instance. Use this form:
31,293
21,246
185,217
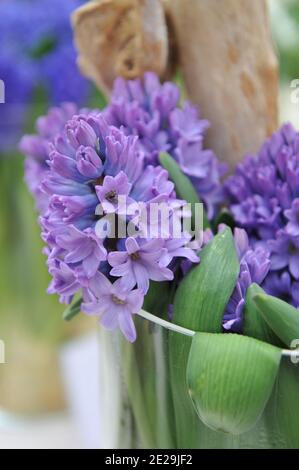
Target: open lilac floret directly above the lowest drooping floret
140,263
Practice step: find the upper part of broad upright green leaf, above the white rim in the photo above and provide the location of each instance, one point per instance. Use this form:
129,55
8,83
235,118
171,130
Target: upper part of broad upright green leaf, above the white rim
202,296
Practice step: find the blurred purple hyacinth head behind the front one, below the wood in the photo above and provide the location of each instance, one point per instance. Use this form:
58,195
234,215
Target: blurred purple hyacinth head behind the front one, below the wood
151,110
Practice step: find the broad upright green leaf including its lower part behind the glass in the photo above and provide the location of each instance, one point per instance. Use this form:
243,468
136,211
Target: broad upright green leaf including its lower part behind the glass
199,305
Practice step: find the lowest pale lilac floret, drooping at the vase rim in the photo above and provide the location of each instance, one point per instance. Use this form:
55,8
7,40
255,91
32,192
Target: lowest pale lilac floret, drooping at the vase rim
114,304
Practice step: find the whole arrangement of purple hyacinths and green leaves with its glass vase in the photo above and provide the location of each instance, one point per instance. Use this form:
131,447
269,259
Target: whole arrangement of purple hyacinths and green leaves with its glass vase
193,272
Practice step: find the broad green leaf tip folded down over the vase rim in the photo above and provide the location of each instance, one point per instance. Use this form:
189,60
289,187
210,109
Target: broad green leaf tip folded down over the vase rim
230,379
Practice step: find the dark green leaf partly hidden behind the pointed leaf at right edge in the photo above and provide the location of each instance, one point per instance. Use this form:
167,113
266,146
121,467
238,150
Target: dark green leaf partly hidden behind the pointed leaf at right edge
254,324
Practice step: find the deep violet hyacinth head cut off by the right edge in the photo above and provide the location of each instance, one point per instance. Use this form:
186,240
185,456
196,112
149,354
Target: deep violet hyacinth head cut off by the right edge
264,199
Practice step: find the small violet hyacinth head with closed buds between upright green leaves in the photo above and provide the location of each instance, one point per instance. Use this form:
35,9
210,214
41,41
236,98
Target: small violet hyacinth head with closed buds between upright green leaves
254,267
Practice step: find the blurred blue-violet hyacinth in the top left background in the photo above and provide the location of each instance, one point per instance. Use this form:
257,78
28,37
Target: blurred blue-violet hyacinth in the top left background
36,51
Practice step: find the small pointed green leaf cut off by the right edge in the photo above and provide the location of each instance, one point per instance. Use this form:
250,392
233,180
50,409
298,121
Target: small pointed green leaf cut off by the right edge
281,317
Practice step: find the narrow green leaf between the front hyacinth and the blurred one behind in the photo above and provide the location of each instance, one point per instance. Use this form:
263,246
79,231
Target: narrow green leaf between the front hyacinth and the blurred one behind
183,186
